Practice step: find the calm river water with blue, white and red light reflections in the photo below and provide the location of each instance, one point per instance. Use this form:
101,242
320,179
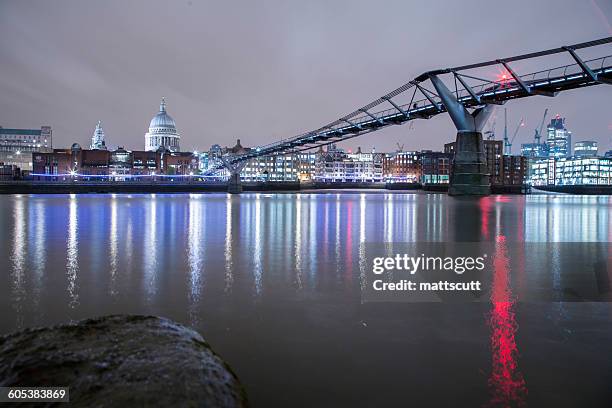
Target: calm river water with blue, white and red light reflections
273,282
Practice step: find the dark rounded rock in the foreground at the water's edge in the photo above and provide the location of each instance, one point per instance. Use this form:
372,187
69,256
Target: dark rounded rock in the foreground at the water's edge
121,361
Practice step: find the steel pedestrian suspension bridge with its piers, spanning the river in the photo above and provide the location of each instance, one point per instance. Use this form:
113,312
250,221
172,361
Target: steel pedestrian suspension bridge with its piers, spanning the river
468,93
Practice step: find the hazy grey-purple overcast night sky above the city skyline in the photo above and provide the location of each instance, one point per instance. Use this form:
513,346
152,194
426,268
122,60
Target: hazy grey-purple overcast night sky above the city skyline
265,70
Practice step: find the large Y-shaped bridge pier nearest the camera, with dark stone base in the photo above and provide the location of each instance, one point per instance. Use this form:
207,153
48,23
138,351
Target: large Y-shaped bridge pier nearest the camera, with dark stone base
469,173
